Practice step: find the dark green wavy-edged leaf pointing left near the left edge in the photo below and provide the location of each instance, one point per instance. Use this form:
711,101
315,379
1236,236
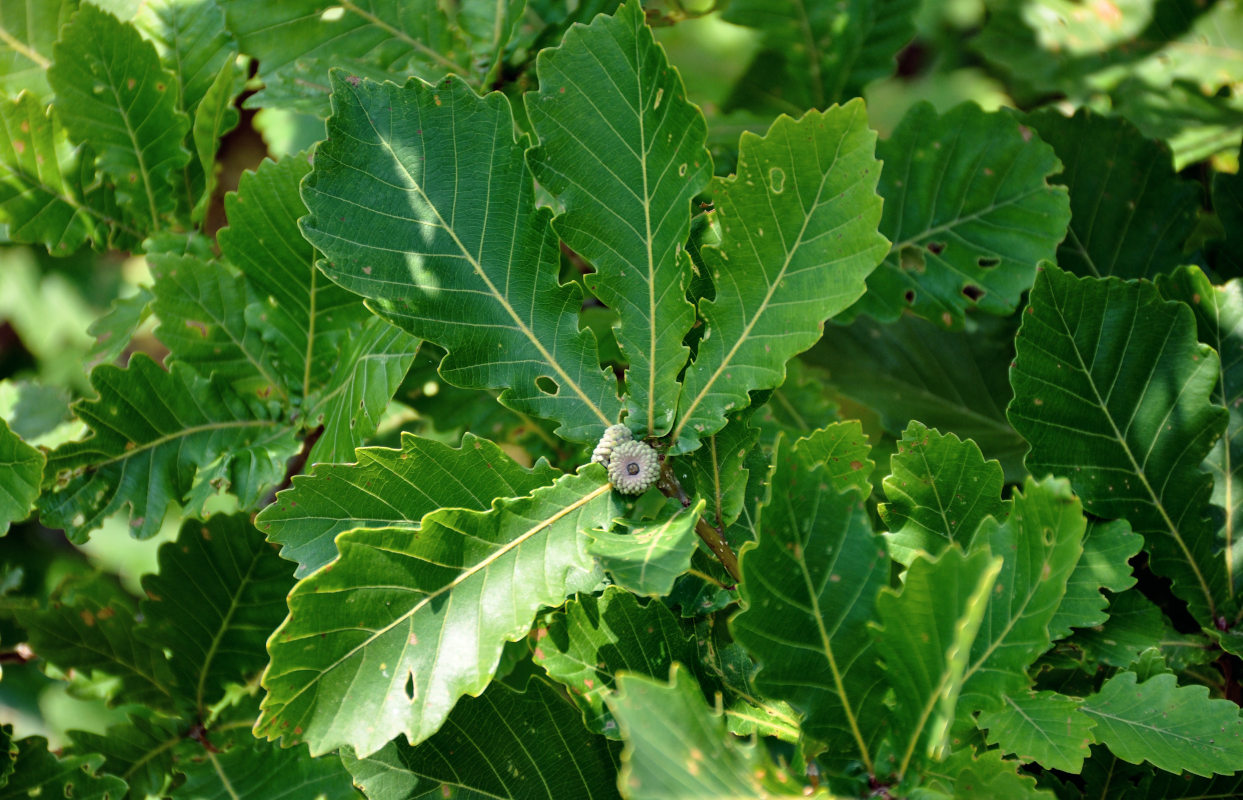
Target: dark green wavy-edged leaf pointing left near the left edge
157,439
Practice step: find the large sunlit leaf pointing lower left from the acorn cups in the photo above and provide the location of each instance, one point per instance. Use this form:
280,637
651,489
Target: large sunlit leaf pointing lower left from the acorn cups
407,622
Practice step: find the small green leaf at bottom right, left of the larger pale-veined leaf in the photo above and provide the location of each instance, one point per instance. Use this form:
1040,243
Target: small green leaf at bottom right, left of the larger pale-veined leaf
1042,727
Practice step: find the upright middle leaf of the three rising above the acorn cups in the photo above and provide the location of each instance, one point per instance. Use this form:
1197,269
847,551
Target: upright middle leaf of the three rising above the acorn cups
625,151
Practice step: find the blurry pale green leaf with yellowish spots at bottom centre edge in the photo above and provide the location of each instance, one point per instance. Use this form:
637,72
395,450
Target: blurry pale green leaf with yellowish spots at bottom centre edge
676,747
